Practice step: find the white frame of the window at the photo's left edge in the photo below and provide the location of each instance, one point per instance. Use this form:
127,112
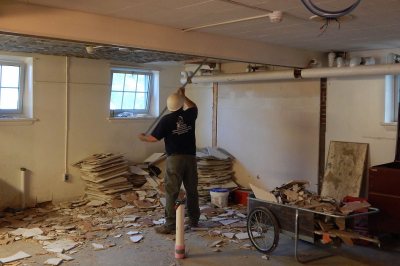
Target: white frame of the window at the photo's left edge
21,87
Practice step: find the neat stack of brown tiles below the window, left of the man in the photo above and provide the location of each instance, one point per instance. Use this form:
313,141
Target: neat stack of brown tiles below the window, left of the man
105,175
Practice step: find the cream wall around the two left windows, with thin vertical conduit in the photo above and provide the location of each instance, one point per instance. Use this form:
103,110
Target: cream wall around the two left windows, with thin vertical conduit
40,147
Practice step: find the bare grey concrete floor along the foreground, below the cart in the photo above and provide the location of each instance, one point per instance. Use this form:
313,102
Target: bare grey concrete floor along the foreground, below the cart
159,250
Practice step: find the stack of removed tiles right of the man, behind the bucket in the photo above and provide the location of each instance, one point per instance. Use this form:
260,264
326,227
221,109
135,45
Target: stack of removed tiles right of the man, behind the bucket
214,168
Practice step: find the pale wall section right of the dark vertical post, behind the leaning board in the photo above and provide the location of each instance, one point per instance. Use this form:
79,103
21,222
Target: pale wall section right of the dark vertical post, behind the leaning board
355,112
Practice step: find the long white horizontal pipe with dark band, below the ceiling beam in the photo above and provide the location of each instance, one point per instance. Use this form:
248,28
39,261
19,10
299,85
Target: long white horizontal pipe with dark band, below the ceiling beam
327,72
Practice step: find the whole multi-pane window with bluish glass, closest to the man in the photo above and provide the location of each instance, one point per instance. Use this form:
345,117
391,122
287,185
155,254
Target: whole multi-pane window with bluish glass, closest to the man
132,92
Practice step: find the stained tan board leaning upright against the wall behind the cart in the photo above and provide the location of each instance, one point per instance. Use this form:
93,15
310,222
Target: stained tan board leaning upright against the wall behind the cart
345,168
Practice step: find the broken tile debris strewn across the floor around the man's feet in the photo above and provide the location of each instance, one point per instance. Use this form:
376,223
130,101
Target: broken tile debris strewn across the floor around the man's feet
69,227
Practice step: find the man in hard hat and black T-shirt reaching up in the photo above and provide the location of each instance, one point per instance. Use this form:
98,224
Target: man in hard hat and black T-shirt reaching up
178,131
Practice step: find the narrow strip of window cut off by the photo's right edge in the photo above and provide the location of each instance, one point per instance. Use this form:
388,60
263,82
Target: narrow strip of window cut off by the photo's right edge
392,98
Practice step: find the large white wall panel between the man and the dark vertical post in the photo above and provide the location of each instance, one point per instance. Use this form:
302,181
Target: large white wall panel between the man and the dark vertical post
271,128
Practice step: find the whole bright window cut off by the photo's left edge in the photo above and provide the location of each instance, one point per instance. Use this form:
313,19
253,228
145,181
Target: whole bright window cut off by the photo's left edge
11,88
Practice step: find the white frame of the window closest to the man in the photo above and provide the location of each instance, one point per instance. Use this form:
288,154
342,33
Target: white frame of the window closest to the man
113,113
